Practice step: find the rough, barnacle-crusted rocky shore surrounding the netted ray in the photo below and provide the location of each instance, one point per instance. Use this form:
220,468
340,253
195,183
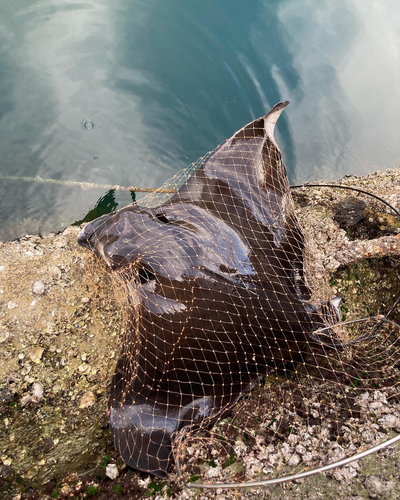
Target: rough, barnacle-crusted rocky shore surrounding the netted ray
60,330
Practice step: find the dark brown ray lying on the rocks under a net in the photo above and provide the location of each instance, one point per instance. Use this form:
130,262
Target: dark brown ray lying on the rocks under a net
217,294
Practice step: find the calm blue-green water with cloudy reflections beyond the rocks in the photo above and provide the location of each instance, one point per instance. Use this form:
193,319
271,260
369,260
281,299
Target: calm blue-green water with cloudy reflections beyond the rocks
131,91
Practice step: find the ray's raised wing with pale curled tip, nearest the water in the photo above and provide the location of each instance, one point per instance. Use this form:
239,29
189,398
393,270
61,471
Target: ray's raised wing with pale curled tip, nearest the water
244,183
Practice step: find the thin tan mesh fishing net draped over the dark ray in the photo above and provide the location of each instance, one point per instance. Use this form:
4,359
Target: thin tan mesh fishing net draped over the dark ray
236,364
